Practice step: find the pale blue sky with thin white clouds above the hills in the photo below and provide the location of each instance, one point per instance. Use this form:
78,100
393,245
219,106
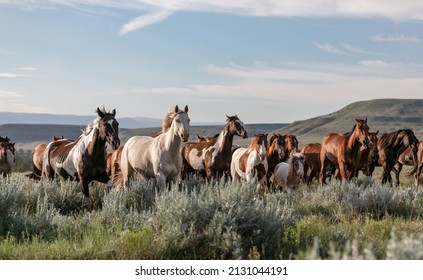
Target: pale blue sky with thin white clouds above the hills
265,61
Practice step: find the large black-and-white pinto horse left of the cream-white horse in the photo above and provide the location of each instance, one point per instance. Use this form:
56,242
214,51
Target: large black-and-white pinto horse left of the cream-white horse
84,159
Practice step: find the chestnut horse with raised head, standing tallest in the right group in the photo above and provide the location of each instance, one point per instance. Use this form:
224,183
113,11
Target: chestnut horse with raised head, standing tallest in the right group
343,151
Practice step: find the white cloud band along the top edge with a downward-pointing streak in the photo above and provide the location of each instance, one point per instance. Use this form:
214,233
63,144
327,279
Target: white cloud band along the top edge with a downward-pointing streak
158,10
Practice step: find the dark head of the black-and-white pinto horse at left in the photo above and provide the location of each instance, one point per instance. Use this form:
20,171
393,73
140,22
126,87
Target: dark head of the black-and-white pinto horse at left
110,128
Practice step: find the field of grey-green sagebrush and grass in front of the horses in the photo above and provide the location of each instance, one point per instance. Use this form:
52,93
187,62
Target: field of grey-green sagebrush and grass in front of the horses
211,220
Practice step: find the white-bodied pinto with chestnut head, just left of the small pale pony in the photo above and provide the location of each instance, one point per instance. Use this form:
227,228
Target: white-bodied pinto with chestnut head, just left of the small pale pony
249,162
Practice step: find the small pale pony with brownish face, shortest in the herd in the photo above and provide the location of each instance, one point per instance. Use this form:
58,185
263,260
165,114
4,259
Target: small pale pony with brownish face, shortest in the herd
287,175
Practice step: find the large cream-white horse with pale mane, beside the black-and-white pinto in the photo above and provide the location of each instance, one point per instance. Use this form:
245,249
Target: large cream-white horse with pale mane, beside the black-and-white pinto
156,157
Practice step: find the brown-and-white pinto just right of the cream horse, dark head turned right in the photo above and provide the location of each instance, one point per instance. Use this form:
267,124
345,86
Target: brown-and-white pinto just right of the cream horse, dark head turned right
213,157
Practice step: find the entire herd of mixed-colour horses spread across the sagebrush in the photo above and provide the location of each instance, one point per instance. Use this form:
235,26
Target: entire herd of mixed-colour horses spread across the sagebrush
169,157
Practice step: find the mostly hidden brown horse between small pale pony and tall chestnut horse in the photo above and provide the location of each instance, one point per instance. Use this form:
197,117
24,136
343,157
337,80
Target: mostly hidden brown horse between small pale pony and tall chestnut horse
311,153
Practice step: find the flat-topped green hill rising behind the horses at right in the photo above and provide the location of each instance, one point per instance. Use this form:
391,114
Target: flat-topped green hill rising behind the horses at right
387,115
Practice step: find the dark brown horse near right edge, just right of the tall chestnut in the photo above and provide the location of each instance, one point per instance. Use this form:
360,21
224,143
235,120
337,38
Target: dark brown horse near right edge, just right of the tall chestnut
391,146
